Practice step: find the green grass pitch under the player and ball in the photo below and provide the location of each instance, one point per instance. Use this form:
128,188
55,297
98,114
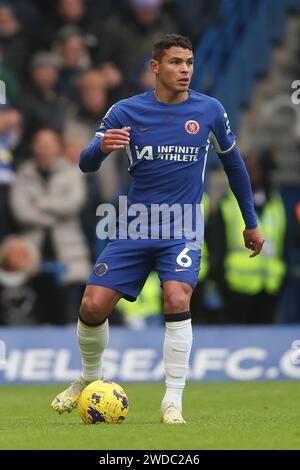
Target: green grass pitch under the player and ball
261,415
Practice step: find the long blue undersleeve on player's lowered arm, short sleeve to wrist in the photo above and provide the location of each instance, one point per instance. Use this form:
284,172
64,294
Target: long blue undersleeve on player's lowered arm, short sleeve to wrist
240,185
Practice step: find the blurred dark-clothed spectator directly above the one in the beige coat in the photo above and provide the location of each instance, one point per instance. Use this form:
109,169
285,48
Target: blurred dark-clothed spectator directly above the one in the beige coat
40,103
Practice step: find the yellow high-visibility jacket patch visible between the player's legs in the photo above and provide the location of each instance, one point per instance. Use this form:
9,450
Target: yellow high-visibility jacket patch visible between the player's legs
148,302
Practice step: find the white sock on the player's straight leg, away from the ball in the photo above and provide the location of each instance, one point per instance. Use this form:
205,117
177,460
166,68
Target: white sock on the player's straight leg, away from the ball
177,348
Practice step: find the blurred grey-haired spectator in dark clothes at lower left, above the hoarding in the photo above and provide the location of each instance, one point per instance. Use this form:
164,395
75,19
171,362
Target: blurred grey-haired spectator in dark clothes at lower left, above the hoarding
27,295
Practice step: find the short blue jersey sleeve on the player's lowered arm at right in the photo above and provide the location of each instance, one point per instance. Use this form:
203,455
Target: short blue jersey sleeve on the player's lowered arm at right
221,136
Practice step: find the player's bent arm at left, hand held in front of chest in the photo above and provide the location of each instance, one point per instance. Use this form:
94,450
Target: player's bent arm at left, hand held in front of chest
110,136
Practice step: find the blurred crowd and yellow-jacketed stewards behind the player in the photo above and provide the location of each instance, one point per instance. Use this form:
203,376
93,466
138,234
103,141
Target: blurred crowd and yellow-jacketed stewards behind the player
64,63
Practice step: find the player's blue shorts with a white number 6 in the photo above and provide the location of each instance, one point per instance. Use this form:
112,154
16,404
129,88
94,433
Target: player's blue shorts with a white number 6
124,265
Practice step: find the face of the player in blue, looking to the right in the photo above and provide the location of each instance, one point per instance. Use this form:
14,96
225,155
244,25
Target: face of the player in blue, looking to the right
175,69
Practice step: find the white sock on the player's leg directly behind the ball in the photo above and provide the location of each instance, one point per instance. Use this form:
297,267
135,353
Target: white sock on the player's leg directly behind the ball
92,341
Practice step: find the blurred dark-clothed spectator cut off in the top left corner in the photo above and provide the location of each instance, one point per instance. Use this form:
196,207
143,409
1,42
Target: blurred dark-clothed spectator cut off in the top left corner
14,41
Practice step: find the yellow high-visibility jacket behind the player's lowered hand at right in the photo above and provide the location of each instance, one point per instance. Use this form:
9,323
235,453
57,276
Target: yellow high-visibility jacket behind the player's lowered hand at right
265,271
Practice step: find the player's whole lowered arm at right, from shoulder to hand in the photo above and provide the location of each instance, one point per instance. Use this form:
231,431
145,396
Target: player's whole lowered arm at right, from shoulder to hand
224,143
